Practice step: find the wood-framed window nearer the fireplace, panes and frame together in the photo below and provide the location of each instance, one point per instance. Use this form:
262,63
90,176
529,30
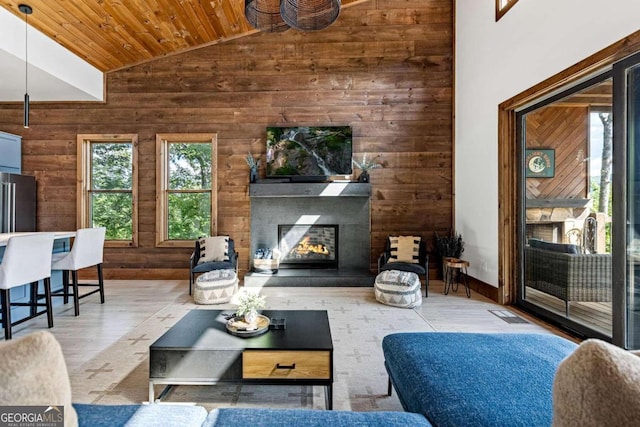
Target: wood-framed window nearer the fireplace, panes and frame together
186,205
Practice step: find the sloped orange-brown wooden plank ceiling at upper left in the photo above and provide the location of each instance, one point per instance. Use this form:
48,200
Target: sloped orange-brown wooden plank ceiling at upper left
113,34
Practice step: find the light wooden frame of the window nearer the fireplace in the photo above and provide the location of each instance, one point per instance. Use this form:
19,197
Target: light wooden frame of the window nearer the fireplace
162,184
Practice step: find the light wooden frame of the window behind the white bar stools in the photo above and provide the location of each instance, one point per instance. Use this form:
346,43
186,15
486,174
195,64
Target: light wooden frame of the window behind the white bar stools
83,215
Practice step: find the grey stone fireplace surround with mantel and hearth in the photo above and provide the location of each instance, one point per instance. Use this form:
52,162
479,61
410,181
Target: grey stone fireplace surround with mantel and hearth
346,204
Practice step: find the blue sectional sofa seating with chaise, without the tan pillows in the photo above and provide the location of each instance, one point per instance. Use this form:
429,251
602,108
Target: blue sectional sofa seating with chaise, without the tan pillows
442,380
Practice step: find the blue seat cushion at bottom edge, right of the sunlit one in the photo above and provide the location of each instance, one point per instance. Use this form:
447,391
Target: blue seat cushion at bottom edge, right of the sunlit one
234,417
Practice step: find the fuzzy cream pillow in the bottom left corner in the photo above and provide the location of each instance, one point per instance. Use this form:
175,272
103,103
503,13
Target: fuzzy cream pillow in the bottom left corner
33,372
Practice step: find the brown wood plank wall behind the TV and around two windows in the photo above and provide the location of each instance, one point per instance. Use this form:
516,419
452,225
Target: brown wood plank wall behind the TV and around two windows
385,68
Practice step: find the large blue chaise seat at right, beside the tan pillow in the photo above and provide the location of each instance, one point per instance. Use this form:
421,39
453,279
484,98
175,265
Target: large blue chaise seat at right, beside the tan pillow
469,379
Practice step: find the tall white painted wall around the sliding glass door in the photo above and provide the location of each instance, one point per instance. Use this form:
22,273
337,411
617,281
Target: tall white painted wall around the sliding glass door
497,60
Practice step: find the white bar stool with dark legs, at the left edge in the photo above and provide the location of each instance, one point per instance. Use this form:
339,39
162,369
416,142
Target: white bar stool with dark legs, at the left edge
27,259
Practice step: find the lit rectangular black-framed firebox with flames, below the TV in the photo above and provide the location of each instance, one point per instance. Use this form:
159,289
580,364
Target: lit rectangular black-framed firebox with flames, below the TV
308,246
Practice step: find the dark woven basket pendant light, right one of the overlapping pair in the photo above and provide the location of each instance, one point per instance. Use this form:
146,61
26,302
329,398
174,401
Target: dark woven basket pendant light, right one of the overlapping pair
309,15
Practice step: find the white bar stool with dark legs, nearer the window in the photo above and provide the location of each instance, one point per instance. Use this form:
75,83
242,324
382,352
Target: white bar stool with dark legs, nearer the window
86,252
